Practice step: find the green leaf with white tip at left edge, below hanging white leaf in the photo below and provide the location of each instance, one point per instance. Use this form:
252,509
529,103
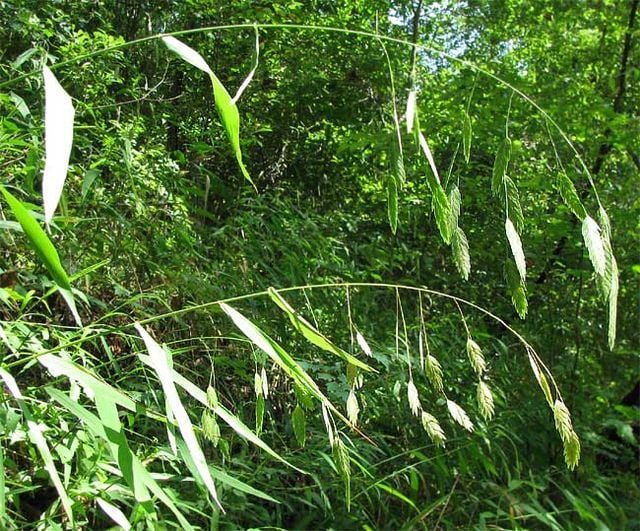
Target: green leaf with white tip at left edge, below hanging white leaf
44,249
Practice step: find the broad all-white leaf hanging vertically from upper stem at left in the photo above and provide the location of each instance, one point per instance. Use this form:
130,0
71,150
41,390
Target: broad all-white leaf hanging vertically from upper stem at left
58,139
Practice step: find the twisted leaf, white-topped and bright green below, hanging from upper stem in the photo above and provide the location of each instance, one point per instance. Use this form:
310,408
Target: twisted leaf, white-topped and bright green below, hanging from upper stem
227,109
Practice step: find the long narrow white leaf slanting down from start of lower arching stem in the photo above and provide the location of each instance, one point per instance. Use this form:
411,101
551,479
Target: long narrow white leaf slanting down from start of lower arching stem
158,358
